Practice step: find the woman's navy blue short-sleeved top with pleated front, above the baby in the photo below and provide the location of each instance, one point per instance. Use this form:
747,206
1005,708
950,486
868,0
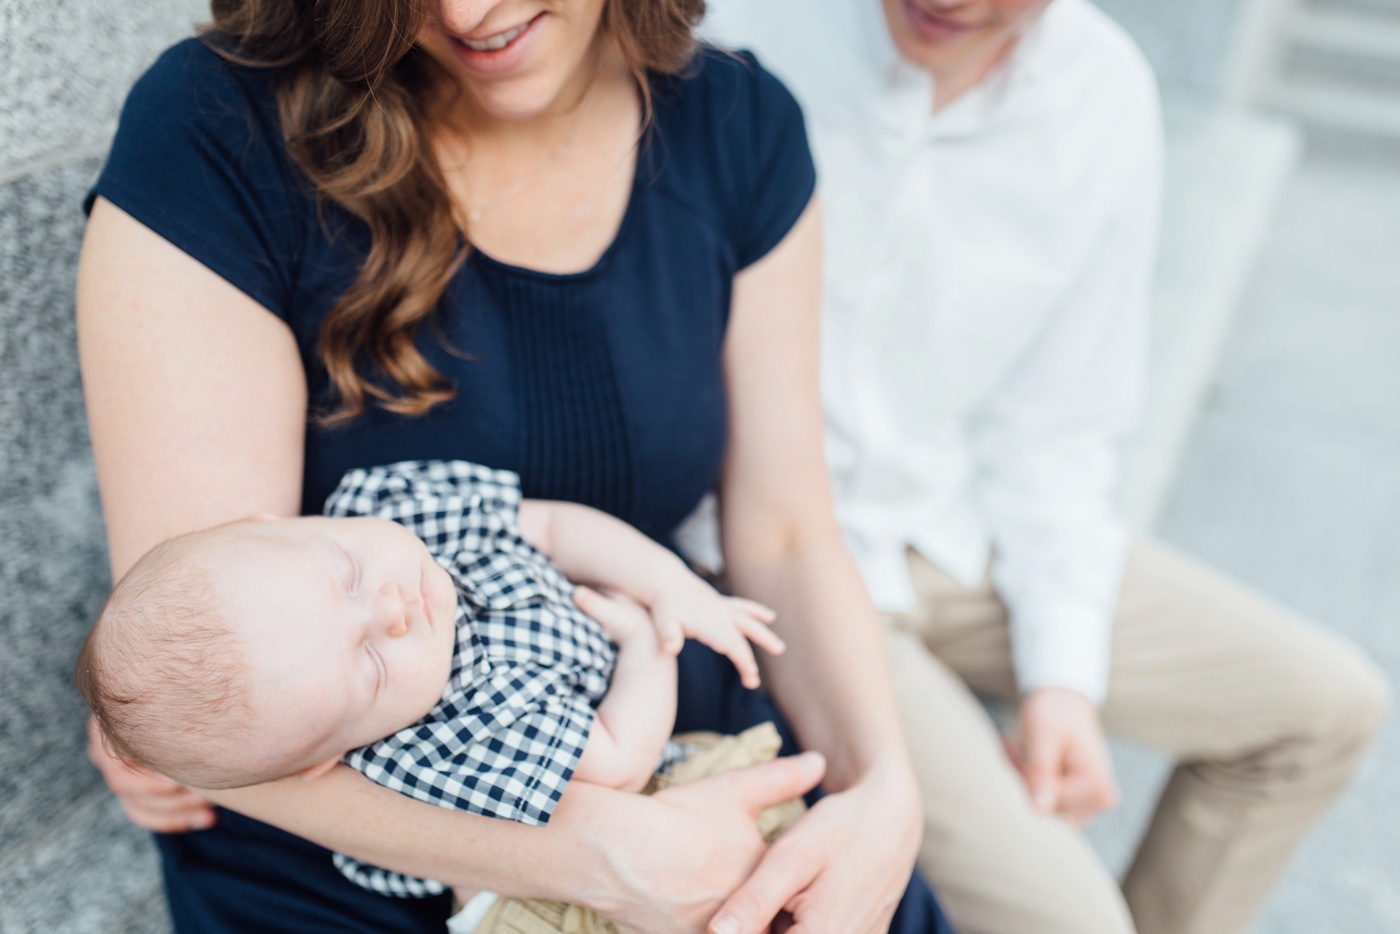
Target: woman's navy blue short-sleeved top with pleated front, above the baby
601,387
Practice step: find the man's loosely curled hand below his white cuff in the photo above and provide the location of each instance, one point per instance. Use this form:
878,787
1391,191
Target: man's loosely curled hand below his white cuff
1063,757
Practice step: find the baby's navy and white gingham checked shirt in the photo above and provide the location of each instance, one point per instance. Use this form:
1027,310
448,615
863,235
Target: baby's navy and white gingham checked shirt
528,669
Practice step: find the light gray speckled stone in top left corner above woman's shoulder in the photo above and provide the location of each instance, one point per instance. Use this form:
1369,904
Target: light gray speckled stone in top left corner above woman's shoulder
66,65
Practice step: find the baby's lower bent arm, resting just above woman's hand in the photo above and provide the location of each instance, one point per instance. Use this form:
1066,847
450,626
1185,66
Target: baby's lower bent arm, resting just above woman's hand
638,713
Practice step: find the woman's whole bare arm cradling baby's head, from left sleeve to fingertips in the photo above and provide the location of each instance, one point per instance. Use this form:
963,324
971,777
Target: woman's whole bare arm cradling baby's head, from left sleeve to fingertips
198,405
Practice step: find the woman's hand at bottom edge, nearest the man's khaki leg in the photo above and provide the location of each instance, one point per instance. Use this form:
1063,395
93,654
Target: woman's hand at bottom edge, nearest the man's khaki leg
842,870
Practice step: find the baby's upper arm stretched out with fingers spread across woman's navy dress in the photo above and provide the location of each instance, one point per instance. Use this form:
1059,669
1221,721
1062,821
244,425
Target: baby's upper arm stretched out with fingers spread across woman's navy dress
594,548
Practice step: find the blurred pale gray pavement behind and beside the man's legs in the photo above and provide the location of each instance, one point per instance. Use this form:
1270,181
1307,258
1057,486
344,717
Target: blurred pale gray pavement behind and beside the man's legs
1291,484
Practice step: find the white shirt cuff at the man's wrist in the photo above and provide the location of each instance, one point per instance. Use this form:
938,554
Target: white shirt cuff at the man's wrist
1063,645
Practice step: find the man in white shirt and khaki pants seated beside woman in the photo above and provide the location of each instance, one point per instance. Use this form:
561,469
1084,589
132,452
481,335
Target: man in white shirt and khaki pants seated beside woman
992,174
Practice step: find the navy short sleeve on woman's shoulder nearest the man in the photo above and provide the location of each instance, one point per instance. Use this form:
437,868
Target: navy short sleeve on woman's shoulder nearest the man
779,176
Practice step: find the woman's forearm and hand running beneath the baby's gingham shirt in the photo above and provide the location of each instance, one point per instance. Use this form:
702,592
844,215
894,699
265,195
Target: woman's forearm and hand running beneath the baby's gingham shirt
660,865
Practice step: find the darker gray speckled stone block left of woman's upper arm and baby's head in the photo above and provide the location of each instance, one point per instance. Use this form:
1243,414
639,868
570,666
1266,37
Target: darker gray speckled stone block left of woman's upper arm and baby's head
52,555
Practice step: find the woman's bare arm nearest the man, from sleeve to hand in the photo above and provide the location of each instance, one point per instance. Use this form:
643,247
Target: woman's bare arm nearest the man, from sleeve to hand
846,865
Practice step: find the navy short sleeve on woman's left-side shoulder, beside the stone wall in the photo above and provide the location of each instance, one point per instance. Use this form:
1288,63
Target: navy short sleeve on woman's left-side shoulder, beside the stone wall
199,160
